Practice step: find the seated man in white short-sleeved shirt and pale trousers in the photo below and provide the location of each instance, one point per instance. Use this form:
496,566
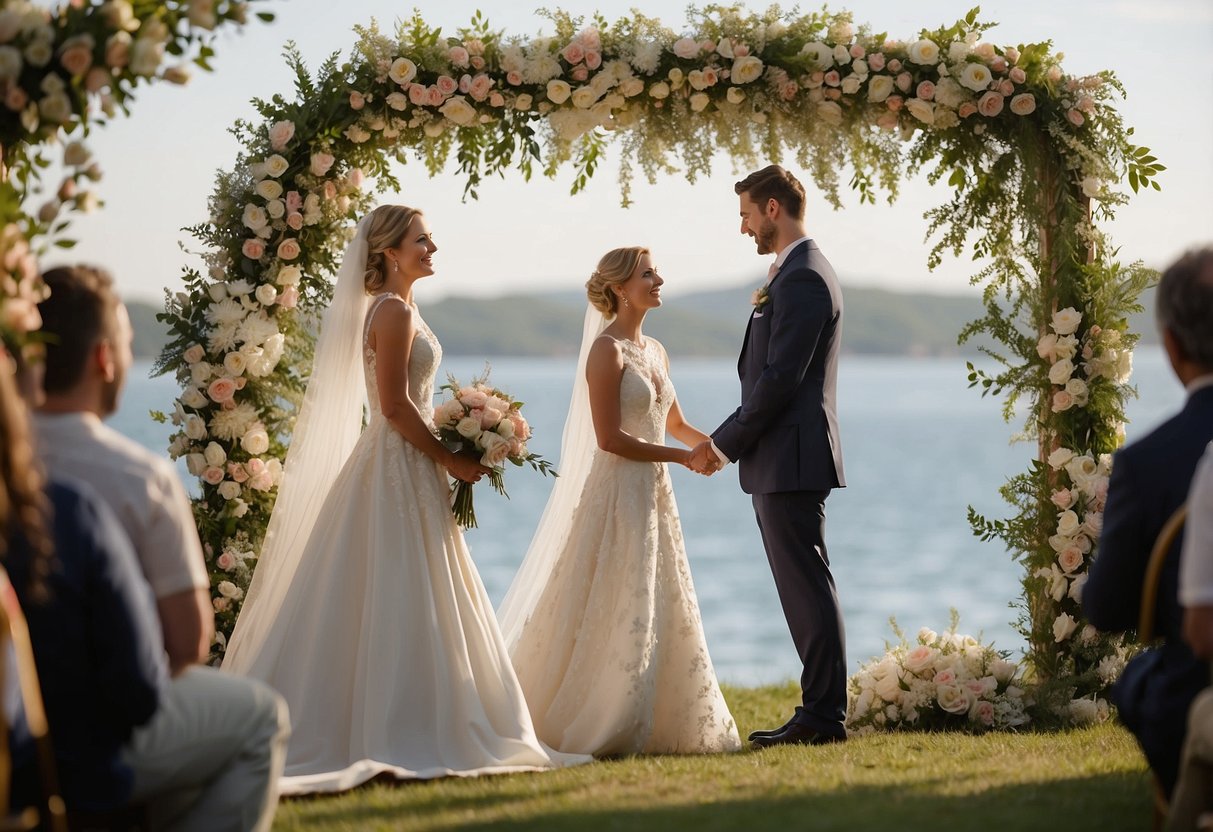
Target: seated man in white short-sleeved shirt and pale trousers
212,756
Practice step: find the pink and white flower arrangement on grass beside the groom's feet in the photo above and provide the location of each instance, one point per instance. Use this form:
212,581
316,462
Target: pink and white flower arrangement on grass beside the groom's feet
944,681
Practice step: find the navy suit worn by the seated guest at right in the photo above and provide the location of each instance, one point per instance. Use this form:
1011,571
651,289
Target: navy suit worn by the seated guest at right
1151,481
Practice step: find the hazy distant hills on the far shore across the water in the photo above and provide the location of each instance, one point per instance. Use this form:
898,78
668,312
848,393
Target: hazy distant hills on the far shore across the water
711,323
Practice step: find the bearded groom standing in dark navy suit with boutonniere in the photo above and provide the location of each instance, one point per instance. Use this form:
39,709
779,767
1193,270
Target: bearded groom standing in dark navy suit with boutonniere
785,441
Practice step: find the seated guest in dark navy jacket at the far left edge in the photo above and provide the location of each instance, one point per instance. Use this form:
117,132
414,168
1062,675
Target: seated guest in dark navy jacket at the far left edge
92,622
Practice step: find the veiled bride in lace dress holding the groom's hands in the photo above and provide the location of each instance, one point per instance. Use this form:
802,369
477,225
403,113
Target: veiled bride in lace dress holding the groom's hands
602,620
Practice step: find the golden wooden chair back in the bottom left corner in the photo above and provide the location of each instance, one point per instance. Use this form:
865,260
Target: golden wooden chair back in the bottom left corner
52,813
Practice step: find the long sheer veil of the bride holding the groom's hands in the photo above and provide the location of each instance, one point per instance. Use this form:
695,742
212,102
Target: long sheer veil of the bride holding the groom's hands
578,445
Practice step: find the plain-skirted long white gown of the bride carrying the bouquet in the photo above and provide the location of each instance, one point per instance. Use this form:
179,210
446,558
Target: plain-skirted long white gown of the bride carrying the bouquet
388,648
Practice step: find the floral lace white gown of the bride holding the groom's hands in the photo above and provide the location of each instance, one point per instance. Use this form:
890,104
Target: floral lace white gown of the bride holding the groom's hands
613,658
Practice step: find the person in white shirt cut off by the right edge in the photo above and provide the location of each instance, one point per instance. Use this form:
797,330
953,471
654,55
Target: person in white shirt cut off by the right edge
1194,791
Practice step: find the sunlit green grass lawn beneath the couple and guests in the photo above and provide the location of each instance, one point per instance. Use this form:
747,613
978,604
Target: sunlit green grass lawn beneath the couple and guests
1089,779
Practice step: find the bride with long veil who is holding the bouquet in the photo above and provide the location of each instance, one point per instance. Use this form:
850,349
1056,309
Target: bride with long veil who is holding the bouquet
366,611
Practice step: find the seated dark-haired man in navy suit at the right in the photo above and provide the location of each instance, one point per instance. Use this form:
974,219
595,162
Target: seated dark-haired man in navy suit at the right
1149,483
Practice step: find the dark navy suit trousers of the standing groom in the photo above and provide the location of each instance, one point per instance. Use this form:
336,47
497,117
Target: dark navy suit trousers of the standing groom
793,526
